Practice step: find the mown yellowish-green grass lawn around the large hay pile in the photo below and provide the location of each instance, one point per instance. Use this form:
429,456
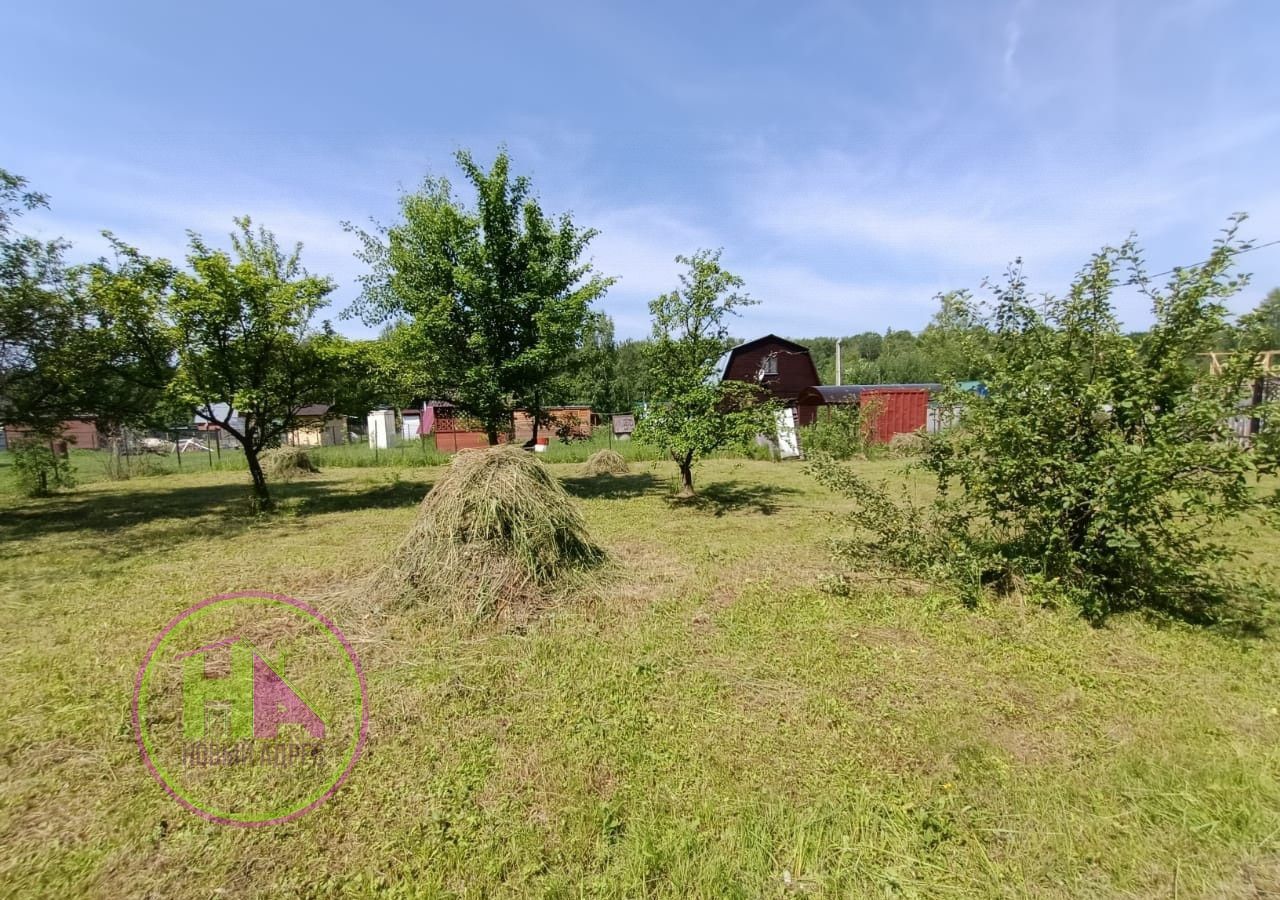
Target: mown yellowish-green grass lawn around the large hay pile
703,723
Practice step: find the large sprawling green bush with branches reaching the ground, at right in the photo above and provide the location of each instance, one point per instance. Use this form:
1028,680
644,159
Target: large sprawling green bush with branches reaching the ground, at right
1099,465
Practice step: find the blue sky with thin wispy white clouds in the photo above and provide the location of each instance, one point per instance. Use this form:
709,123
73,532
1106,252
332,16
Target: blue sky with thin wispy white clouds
853,159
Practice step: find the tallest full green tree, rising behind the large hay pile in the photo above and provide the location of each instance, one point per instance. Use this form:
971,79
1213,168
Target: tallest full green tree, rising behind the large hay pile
495,299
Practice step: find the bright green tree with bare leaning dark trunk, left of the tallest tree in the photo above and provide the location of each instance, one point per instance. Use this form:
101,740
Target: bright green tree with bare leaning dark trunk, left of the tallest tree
245,344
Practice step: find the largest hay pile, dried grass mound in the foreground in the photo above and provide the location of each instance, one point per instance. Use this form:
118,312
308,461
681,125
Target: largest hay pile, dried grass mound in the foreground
496,538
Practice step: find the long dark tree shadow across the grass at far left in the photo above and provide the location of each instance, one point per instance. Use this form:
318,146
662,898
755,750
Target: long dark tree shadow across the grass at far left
118,519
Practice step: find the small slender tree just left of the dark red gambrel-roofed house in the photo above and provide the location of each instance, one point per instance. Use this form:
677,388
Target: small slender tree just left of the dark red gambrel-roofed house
692,412
